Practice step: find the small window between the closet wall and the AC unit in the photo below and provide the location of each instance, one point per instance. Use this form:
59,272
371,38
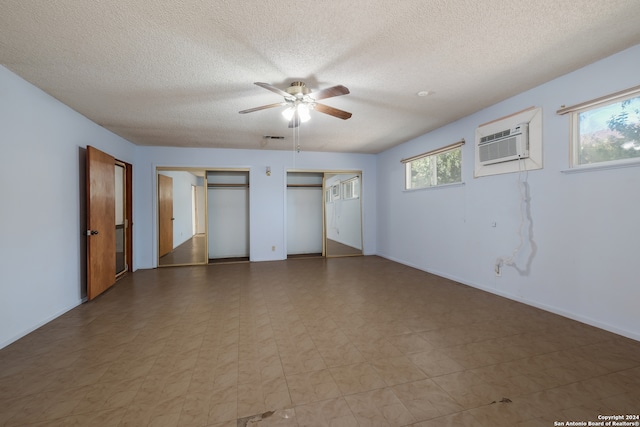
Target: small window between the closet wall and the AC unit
438,167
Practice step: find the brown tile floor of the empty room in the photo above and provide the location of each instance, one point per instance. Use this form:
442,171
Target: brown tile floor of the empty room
358,341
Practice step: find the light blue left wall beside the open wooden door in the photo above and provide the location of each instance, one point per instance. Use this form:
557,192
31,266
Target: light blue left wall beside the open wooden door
42,247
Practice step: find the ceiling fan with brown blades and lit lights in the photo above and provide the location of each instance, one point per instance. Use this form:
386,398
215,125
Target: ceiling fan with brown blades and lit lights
299,100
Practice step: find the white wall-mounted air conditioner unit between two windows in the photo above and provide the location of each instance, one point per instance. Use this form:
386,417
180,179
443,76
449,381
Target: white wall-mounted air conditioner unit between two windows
506,145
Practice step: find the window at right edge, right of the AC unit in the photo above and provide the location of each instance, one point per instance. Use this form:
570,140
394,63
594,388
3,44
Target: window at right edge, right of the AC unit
606,129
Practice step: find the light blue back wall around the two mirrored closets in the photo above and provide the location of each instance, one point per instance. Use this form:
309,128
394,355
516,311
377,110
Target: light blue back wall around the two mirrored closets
267,202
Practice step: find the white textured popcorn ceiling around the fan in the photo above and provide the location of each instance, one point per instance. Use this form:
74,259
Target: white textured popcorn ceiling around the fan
176,73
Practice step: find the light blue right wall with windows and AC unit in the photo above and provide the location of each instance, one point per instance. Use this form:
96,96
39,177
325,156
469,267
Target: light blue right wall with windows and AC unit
585,225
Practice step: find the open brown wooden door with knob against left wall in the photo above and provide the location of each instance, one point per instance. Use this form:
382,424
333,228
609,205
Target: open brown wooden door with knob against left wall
101,211
